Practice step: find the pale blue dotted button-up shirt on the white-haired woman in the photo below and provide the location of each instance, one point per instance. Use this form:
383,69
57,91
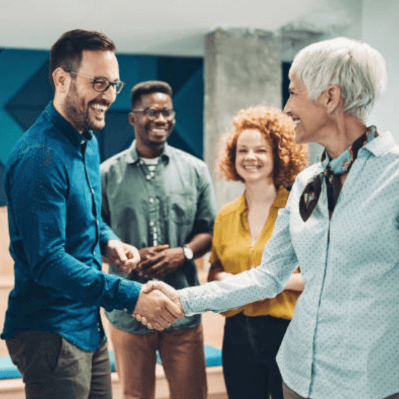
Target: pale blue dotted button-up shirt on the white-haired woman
343,341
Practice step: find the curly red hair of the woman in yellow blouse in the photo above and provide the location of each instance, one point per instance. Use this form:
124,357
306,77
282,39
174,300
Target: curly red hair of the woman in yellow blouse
278,130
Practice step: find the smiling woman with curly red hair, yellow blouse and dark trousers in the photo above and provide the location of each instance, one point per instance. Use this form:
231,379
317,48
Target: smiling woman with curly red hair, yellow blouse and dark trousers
261,152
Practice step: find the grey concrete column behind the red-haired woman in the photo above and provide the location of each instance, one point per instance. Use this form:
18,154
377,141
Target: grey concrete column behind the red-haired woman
242,68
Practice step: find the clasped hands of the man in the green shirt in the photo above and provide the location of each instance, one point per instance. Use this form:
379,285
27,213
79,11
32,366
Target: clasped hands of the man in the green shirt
160,261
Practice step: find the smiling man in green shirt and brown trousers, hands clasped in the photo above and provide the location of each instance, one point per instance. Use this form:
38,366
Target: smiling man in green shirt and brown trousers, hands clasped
161,200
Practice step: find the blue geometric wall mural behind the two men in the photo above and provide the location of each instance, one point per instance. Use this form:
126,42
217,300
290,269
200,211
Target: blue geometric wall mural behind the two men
25,90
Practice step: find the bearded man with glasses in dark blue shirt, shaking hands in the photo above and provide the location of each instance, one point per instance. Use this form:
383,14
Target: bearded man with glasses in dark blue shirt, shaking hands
53,327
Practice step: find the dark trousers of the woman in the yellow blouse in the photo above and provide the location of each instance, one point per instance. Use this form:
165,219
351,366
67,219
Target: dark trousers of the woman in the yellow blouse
250,346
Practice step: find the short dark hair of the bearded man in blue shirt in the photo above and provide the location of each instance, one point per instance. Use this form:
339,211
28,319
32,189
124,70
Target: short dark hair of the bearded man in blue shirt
67,50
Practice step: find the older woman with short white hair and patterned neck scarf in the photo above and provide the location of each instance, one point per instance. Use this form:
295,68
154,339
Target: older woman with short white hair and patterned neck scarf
341,224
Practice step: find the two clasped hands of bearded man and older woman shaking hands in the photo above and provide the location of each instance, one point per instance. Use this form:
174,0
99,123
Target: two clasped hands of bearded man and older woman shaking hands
158,306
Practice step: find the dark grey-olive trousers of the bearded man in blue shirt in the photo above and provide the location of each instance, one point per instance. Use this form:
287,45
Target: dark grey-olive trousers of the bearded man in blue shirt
52,367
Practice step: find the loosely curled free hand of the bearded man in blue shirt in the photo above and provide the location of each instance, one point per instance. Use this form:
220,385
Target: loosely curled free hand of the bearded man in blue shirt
124,256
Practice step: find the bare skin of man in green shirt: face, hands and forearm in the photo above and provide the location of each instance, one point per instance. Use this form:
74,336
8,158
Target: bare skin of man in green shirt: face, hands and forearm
151,135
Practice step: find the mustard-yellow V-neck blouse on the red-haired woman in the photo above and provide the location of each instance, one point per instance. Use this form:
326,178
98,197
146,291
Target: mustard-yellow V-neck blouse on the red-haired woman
233,252
